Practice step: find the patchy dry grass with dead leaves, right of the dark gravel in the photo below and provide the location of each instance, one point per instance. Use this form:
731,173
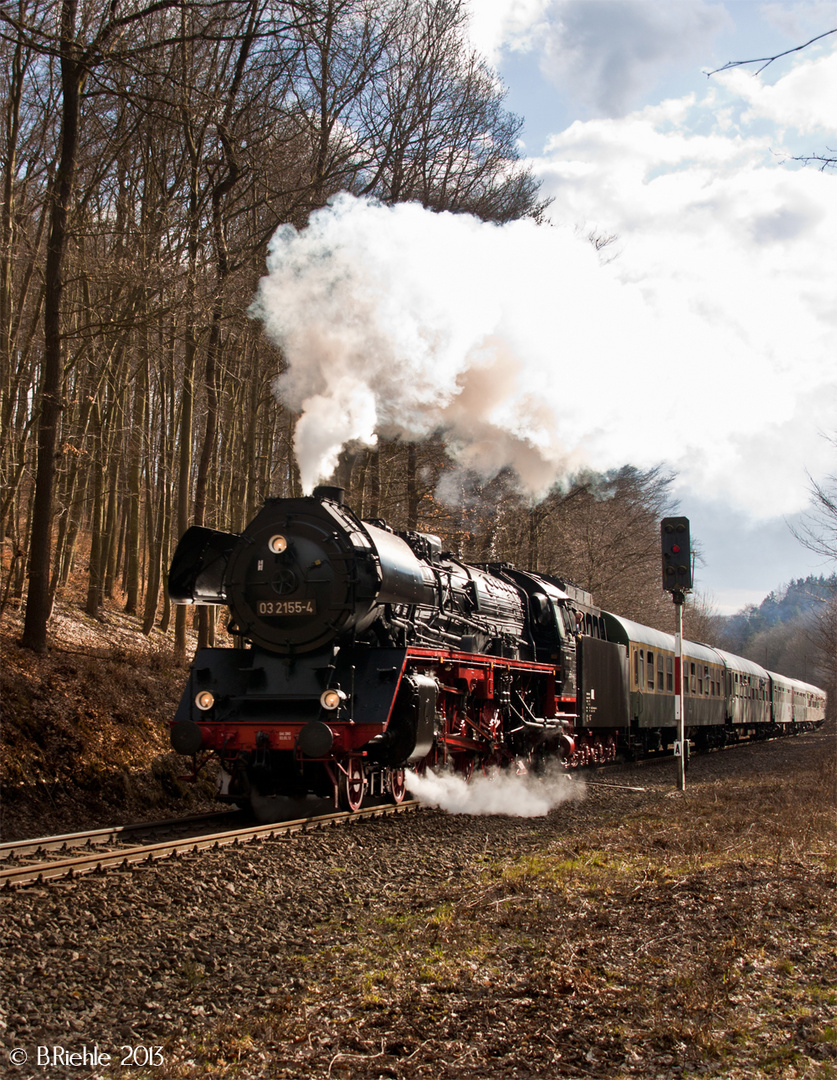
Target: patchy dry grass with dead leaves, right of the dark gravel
687,936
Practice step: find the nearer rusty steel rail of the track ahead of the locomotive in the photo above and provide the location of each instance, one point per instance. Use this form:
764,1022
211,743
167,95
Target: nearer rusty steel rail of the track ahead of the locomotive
39,873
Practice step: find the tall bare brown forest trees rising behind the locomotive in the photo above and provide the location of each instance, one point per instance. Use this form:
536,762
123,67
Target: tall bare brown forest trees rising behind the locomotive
148,153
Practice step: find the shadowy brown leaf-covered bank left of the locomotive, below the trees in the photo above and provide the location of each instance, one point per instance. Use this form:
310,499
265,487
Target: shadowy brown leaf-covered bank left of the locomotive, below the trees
85,733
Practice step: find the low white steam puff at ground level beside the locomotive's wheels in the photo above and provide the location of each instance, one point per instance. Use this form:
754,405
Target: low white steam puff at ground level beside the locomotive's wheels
497,793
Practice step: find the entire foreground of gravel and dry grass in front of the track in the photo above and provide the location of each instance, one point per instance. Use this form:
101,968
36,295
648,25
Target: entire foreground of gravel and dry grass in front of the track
636,933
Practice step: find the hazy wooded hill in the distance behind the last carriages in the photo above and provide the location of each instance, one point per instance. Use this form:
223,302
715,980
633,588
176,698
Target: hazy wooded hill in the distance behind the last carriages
781,633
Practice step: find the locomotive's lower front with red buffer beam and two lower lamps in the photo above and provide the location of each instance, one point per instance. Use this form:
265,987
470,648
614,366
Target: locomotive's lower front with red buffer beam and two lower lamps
328,724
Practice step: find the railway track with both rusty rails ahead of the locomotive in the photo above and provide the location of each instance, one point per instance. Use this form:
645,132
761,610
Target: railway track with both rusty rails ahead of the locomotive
22,862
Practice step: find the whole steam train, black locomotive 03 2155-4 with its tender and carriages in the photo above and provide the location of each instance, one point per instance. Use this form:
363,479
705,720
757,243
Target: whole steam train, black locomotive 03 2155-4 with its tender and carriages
361,652
